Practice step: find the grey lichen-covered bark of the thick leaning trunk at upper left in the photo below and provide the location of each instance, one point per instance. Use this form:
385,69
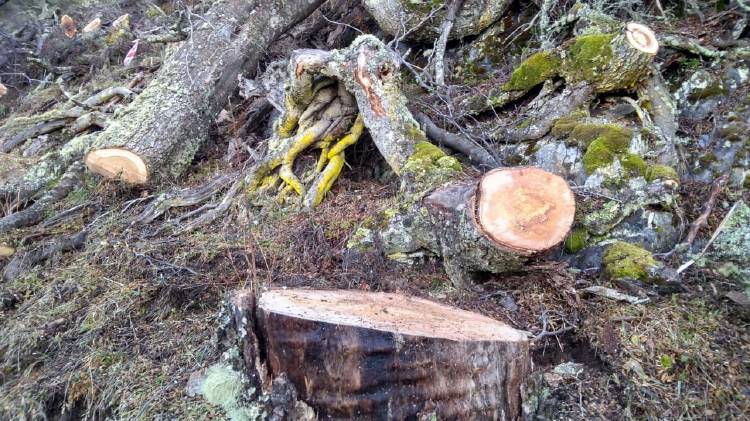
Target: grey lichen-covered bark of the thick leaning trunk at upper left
170,119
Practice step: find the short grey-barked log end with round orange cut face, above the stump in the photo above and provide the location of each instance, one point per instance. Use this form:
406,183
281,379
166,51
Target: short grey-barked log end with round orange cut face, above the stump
497,223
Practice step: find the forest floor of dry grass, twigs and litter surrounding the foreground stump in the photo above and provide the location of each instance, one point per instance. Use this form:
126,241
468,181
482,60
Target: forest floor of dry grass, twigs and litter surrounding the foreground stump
116,328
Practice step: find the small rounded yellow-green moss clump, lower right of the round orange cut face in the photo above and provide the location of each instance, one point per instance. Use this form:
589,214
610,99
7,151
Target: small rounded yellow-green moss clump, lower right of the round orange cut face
624,260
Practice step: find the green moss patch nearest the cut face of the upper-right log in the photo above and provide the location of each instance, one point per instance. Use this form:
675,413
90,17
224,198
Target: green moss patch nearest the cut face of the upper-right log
588,55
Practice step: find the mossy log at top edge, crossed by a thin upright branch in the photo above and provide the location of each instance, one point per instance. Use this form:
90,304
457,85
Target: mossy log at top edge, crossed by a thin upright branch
412,19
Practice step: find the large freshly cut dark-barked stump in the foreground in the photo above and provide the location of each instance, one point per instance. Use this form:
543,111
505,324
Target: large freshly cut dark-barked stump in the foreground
362,355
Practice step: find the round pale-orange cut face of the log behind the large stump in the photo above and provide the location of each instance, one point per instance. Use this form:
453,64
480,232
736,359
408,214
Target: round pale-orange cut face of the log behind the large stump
525,209
